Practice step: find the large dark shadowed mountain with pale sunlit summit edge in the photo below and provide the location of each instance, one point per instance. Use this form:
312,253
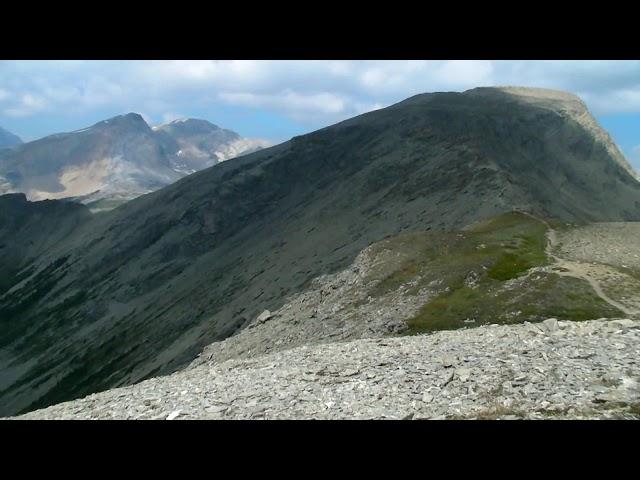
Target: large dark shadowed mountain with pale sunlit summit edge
140,290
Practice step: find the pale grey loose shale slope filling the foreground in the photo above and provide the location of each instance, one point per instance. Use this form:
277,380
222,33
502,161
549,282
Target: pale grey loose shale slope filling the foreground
547,370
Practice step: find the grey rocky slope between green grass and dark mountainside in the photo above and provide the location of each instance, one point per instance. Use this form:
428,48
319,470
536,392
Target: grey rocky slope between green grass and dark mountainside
334,308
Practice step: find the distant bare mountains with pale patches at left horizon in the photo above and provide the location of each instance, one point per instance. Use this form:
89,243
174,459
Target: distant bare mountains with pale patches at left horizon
117,159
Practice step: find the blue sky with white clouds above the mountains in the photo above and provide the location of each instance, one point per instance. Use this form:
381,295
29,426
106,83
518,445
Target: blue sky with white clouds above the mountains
276,100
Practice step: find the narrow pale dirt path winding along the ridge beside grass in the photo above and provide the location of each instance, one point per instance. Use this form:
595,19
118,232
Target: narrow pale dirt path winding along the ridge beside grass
576,269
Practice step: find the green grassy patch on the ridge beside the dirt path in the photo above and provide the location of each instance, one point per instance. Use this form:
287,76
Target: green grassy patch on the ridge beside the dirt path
482,275
